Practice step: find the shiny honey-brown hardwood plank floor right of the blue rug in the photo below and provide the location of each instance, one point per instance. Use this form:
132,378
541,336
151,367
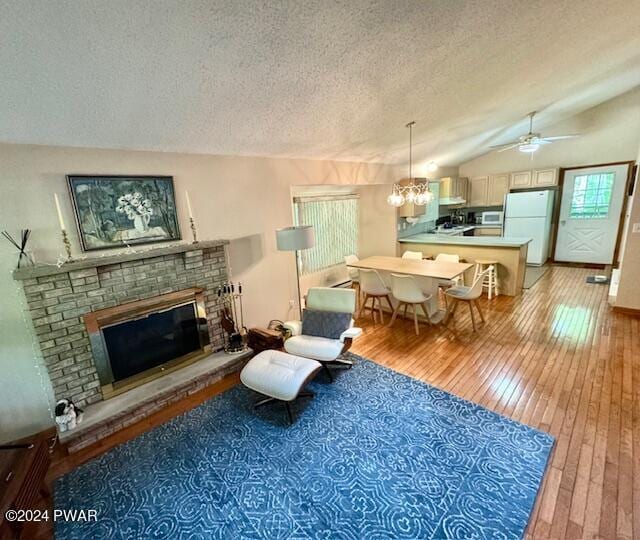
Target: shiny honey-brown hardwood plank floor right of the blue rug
558,359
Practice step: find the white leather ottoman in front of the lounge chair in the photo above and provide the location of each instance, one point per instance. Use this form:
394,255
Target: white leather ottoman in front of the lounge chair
280,376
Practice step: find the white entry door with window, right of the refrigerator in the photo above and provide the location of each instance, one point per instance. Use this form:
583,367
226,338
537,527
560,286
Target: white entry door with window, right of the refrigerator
590,214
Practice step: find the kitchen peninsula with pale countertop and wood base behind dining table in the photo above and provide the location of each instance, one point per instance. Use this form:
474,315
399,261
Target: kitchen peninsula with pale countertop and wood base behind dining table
509,252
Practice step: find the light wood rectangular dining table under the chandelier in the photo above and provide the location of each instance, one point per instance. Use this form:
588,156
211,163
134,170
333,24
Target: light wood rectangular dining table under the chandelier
426,272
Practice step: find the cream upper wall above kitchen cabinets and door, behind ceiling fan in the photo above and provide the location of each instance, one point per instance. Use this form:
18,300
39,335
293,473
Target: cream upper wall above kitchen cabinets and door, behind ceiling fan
609,132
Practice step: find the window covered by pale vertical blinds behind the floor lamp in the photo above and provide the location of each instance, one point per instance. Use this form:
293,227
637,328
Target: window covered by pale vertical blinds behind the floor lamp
335,220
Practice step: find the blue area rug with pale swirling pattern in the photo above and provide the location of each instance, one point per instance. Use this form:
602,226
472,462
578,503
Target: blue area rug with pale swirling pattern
374,455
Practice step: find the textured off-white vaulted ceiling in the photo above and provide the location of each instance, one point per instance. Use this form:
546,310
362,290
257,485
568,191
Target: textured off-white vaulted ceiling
320,79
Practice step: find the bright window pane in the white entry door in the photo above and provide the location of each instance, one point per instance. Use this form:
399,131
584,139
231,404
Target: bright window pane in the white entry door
591,196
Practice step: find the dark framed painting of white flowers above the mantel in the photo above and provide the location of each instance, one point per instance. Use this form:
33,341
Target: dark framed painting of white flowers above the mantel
117,211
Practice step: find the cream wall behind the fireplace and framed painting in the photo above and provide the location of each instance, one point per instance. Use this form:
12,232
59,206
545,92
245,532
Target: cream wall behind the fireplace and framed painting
242,199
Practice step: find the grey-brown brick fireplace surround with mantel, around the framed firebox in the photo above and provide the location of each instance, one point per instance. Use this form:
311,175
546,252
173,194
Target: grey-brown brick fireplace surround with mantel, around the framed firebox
58,298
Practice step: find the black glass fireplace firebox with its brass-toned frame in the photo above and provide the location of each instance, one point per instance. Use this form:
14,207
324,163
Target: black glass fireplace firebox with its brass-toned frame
135,342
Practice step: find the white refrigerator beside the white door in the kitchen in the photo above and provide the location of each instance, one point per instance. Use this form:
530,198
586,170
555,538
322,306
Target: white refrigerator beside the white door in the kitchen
528,214
